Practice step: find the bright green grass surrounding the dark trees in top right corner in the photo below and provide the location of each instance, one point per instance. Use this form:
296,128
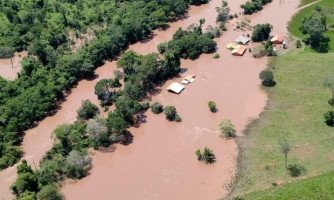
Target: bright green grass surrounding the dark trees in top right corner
306,12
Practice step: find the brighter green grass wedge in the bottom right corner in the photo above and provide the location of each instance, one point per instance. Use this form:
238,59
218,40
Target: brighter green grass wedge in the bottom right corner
304,189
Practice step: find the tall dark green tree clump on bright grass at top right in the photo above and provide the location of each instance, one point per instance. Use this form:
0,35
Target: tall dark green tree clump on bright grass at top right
315,27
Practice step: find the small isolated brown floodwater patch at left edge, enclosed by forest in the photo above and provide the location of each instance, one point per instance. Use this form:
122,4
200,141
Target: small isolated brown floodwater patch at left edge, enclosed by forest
9,68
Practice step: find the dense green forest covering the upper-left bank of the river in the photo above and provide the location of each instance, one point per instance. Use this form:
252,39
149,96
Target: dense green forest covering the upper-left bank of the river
42,27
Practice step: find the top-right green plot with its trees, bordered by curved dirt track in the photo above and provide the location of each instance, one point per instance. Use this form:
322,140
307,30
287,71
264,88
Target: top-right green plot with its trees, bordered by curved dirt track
319,19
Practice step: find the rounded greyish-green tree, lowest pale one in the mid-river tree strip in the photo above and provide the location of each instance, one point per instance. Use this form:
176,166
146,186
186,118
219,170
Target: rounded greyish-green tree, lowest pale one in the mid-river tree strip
77,165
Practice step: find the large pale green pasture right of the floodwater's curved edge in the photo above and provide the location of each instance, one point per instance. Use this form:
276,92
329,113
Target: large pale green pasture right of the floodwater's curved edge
295,112
